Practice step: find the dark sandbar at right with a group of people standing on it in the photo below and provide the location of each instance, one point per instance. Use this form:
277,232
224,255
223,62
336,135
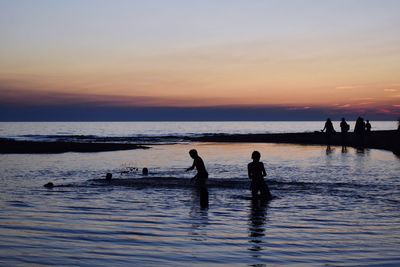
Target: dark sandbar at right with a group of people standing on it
388,140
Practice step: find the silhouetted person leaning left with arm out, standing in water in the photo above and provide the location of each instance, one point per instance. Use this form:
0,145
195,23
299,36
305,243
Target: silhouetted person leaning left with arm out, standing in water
200,178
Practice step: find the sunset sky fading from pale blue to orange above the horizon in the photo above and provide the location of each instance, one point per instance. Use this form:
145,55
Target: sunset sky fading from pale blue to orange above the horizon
282,59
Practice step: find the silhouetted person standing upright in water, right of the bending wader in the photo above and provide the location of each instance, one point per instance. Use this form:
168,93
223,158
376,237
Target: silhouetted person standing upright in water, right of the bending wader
256,172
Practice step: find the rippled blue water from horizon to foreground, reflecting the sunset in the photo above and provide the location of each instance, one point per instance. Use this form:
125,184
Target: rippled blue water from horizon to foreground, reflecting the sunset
331,207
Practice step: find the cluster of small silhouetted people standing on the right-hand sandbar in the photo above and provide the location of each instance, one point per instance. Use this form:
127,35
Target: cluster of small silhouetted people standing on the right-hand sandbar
361,129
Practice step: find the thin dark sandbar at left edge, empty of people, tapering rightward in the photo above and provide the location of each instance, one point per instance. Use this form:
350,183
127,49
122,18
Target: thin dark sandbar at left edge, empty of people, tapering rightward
10,146
